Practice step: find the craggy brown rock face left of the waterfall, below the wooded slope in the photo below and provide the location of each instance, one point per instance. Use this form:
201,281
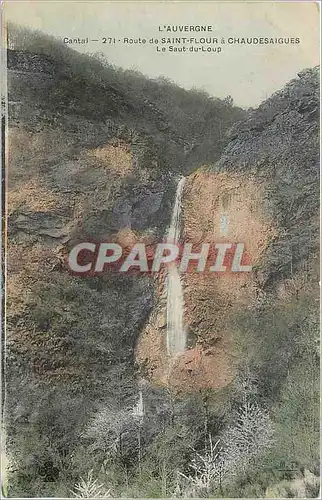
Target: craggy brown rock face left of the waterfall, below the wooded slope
74,179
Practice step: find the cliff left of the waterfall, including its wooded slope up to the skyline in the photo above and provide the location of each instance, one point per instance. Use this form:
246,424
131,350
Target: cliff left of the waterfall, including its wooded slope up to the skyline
89,159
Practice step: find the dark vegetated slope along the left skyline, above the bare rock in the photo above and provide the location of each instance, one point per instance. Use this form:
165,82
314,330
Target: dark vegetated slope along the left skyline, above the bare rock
88,86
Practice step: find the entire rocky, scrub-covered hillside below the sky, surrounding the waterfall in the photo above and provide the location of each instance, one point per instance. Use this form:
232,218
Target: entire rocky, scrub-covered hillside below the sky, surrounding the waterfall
95,153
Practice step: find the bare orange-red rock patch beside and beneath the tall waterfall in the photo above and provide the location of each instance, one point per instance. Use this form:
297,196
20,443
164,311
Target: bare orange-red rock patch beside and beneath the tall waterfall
210,298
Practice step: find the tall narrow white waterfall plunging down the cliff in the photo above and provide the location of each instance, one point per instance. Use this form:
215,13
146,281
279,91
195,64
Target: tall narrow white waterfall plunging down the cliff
176,336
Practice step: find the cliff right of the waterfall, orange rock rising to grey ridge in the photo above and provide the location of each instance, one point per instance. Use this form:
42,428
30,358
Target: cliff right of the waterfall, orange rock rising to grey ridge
263,193
